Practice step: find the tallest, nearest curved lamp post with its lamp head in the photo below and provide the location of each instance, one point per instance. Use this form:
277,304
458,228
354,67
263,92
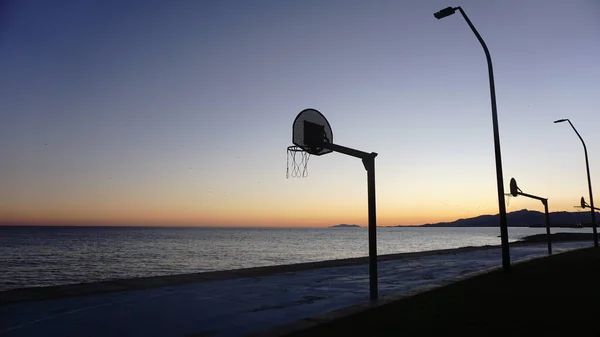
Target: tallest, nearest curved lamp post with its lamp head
499,179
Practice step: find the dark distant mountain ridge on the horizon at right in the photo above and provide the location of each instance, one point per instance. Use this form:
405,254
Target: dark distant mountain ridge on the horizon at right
522,218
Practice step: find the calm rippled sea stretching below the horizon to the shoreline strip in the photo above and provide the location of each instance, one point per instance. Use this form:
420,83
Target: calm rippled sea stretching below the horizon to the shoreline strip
45,256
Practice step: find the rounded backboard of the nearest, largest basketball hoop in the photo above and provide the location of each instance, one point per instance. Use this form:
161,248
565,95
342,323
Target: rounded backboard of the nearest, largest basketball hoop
310,131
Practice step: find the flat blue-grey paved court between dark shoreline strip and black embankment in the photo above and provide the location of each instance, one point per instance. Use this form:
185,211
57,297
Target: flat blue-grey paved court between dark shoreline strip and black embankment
240,302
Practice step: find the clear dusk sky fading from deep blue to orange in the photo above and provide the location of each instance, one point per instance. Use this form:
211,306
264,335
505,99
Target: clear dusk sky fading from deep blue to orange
179,113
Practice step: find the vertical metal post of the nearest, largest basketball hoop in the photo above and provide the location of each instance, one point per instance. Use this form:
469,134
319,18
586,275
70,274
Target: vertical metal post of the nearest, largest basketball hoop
369,163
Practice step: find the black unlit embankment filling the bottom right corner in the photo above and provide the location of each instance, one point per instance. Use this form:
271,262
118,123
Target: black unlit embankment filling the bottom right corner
554,296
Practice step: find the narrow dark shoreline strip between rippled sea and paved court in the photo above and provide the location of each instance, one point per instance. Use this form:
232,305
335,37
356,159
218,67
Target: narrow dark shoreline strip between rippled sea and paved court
132,284
